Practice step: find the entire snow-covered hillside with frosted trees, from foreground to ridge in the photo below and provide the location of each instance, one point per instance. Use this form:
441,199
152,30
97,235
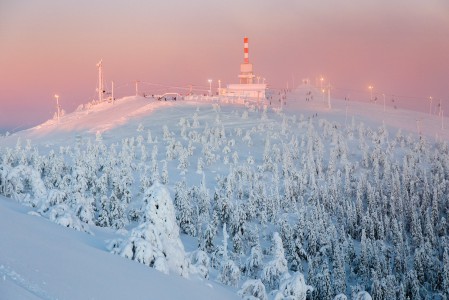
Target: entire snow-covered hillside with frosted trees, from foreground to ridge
285,198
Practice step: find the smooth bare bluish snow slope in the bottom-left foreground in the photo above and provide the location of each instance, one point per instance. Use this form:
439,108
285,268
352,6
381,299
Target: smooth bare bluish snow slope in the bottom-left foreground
41,260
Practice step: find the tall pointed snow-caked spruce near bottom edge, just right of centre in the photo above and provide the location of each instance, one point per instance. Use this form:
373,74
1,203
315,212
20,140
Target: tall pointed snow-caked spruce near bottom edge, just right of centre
277,267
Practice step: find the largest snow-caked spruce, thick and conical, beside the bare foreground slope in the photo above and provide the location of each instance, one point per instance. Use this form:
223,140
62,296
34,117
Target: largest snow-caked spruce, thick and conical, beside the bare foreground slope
156,241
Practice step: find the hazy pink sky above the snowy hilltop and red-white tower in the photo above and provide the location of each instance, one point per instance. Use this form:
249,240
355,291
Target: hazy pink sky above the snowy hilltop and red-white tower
400,47
